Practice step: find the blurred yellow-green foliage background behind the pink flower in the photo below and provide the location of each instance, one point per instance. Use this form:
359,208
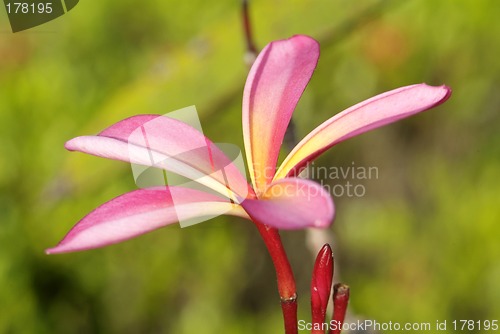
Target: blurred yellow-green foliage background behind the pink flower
421,245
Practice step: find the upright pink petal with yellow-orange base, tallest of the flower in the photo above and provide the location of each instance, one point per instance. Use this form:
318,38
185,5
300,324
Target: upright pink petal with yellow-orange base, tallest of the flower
274,85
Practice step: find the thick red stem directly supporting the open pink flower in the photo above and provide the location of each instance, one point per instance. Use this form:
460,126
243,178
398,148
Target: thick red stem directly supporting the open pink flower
284,276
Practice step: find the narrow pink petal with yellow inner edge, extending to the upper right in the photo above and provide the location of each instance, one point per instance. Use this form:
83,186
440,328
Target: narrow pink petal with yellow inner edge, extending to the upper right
373,113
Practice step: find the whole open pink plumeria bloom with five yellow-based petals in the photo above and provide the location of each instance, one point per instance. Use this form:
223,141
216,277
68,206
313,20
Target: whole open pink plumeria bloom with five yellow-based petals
276,197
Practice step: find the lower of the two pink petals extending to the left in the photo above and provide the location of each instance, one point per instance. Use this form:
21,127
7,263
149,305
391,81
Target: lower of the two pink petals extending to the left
139,212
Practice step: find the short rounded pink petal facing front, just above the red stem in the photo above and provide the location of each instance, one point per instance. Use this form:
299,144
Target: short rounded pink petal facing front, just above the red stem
292,203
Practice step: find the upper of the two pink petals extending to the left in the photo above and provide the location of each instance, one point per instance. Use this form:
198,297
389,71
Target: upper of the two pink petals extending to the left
166,143
